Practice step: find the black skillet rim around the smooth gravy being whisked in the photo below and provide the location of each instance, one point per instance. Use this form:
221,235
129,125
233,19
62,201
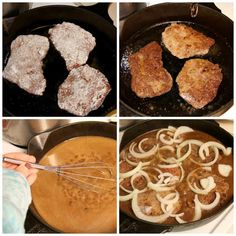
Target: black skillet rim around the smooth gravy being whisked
40,144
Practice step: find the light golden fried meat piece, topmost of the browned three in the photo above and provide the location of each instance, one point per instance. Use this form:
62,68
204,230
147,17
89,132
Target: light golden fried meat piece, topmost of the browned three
184,42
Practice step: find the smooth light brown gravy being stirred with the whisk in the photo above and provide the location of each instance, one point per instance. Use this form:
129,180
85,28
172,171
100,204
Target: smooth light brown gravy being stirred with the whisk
62,204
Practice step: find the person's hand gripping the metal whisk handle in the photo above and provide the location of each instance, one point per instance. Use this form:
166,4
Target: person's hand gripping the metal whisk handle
29,173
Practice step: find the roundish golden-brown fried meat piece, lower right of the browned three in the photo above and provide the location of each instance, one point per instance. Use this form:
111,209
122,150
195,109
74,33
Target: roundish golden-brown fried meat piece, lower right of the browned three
199,81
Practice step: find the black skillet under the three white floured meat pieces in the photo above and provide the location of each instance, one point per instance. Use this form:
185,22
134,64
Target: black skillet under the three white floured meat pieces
17,102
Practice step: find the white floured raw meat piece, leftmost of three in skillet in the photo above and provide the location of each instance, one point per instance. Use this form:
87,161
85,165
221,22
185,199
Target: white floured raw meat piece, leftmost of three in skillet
24,66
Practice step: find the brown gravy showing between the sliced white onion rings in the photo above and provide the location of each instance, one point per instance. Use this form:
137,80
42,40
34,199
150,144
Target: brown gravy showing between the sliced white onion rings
224,184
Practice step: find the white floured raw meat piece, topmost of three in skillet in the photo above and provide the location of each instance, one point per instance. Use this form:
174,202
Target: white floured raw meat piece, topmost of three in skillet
73,43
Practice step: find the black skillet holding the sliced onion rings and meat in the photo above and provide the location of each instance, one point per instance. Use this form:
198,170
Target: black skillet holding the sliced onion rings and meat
209,127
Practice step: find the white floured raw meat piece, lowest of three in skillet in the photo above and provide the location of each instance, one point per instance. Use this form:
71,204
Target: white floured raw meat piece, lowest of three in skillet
84,90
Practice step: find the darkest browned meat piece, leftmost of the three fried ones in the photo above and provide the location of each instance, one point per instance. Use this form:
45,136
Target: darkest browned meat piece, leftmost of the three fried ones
149,77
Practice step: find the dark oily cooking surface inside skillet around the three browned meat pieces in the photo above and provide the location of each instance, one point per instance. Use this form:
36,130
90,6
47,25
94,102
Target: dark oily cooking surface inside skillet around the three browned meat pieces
171,104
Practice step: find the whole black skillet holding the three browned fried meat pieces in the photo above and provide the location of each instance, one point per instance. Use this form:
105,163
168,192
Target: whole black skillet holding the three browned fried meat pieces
146,26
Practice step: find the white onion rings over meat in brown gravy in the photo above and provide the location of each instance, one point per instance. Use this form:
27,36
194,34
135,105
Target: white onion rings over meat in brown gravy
171,158
